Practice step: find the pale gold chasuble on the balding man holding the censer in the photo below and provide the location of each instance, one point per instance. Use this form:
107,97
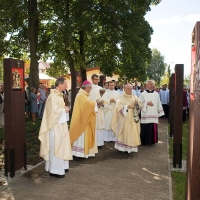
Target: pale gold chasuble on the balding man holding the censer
123,125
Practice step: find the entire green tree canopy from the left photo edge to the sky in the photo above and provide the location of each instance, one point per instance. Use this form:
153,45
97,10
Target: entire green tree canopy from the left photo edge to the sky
113,35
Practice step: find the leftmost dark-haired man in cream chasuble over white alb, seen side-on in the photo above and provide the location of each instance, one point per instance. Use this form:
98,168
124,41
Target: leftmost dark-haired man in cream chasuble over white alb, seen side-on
55,147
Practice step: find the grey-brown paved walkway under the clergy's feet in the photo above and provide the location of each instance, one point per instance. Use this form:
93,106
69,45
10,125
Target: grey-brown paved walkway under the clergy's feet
110,175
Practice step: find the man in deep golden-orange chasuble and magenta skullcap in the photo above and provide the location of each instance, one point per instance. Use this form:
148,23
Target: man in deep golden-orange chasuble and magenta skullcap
83,122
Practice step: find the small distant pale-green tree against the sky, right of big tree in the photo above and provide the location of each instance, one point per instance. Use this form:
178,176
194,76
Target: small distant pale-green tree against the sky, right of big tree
157,67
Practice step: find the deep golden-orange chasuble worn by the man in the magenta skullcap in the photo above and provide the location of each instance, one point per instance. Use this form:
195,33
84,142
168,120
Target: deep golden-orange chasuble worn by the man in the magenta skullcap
83,120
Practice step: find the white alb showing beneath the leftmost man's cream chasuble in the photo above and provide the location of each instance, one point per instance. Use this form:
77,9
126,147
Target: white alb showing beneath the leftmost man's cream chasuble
56,165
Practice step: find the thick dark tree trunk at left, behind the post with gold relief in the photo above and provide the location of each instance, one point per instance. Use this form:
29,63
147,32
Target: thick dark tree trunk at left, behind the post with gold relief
33,38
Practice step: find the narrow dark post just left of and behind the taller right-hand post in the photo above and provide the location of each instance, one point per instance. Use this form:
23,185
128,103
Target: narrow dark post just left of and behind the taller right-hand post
171,105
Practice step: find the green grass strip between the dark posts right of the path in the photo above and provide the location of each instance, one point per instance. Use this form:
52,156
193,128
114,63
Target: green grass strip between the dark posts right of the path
179,178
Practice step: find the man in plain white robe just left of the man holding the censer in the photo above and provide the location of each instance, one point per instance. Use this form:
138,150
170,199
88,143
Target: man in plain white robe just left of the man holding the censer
112,96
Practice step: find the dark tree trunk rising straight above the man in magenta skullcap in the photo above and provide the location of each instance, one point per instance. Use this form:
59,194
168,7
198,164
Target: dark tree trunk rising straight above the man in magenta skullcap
82,69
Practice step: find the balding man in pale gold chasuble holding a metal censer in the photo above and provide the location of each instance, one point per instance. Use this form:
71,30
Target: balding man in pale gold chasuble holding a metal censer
125,122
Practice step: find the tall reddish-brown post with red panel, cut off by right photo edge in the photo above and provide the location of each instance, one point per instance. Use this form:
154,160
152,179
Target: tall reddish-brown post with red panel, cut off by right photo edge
193,160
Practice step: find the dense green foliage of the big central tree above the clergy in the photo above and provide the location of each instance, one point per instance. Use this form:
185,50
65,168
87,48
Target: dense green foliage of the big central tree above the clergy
111,34
